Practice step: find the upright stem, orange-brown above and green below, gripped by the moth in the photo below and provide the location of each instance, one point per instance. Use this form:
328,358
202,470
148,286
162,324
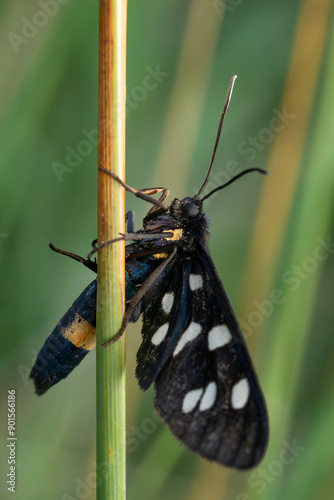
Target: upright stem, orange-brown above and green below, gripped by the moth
110,371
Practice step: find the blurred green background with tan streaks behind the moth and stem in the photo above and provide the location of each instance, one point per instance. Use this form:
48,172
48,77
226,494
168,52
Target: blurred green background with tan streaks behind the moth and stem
271,237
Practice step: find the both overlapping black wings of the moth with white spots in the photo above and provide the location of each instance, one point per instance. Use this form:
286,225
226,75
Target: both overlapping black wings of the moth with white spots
206,389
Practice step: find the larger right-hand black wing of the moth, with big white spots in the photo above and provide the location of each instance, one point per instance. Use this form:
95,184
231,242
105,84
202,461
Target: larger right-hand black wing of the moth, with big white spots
207,392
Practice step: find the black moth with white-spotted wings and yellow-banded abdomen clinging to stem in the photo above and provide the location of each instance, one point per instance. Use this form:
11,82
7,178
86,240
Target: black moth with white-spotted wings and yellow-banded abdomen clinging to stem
192,350
